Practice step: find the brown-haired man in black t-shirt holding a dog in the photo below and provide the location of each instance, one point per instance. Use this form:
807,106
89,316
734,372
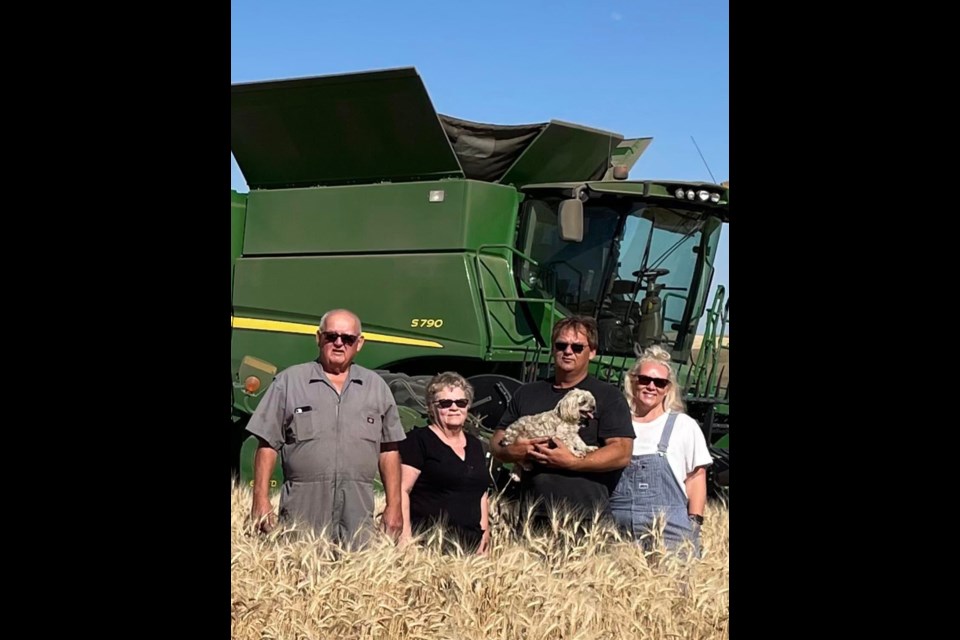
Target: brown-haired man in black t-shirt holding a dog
562,480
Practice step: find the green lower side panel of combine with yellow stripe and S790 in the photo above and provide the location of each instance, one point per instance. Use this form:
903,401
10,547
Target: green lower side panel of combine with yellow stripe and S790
402,297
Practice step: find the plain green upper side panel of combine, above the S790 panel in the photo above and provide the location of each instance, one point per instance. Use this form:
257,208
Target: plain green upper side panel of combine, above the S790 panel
380,218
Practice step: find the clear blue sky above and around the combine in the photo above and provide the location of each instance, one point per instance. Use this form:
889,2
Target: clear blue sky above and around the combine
641,68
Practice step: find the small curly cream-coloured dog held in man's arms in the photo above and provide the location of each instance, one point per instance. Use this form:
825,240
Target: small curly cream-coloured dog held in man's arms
561,423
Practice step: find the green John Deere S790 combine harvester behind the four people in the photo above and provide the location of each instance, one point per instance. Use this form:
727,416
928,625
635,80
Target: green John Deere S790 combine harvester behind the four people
459,244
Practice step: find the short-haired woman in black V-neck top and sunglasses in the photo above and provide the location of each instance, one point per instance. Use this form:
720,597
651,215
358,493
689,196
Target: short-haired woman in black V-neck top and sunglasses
444,475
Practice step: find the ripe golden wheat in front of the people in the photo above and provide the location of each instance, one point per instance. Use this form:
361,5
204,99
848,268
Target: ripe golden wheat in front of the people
291,584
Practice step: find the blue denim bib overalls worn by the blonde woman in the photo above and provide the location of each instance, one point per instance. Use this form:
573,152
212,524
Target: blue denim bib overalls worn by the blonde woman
648,489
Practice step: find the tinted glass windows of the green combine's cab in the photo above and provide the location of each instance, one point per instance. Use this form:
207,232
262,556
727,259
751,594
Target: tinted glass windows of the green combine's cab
630,250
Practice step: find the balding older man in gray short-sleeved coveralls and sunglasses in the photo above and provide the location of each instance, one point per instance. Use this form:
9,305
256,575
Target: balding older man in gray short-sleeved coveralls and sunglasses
332,422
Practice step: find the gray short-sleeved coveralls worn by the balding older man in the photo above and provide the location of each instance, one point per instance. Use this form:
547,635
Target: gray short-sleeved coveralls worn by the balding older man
329,445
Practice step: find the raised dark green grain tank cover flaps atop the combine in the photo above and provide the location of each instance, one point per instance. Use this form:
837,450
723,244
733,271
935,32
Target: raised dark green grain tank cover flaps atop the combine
381,126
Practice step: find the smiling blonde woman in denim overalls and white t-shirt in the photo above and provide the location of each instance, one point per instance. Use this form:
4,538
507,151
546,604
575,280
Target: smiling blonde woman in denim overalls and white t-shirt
666,478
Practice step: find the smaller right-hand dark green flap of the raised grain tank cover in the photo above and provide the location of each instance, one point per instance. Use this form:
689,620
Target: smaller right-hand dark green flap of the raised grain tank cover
564,152
